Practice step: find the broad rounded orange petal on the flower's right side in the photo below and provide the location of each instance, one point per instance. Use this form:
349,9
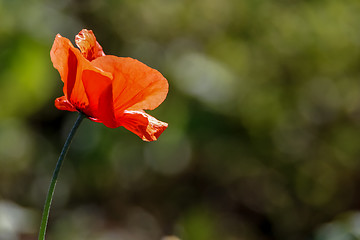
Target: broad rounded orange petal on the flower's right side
135,85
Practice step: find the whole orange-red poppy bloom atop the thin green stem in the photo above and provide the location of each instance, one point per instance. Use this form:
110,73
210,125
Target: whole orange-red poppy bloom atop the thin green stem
108,89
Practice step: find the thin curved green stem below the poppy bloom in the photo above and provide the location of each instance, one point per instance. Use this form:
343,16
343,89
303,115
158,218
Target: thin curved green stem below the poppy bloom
49,197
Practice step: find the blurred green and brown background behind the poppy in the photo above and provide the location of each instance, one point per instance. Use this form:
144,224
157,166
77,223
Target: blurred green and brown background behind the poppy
263,111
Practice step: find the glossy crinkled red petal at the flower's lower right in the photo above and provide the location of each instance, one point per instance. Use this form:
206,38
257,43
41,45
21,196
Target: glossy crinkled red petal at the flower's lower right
142,124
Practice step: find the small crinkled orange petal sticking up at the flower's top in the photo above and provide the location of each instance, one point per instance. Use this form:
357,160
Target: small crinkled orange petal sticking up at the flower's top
88,45
